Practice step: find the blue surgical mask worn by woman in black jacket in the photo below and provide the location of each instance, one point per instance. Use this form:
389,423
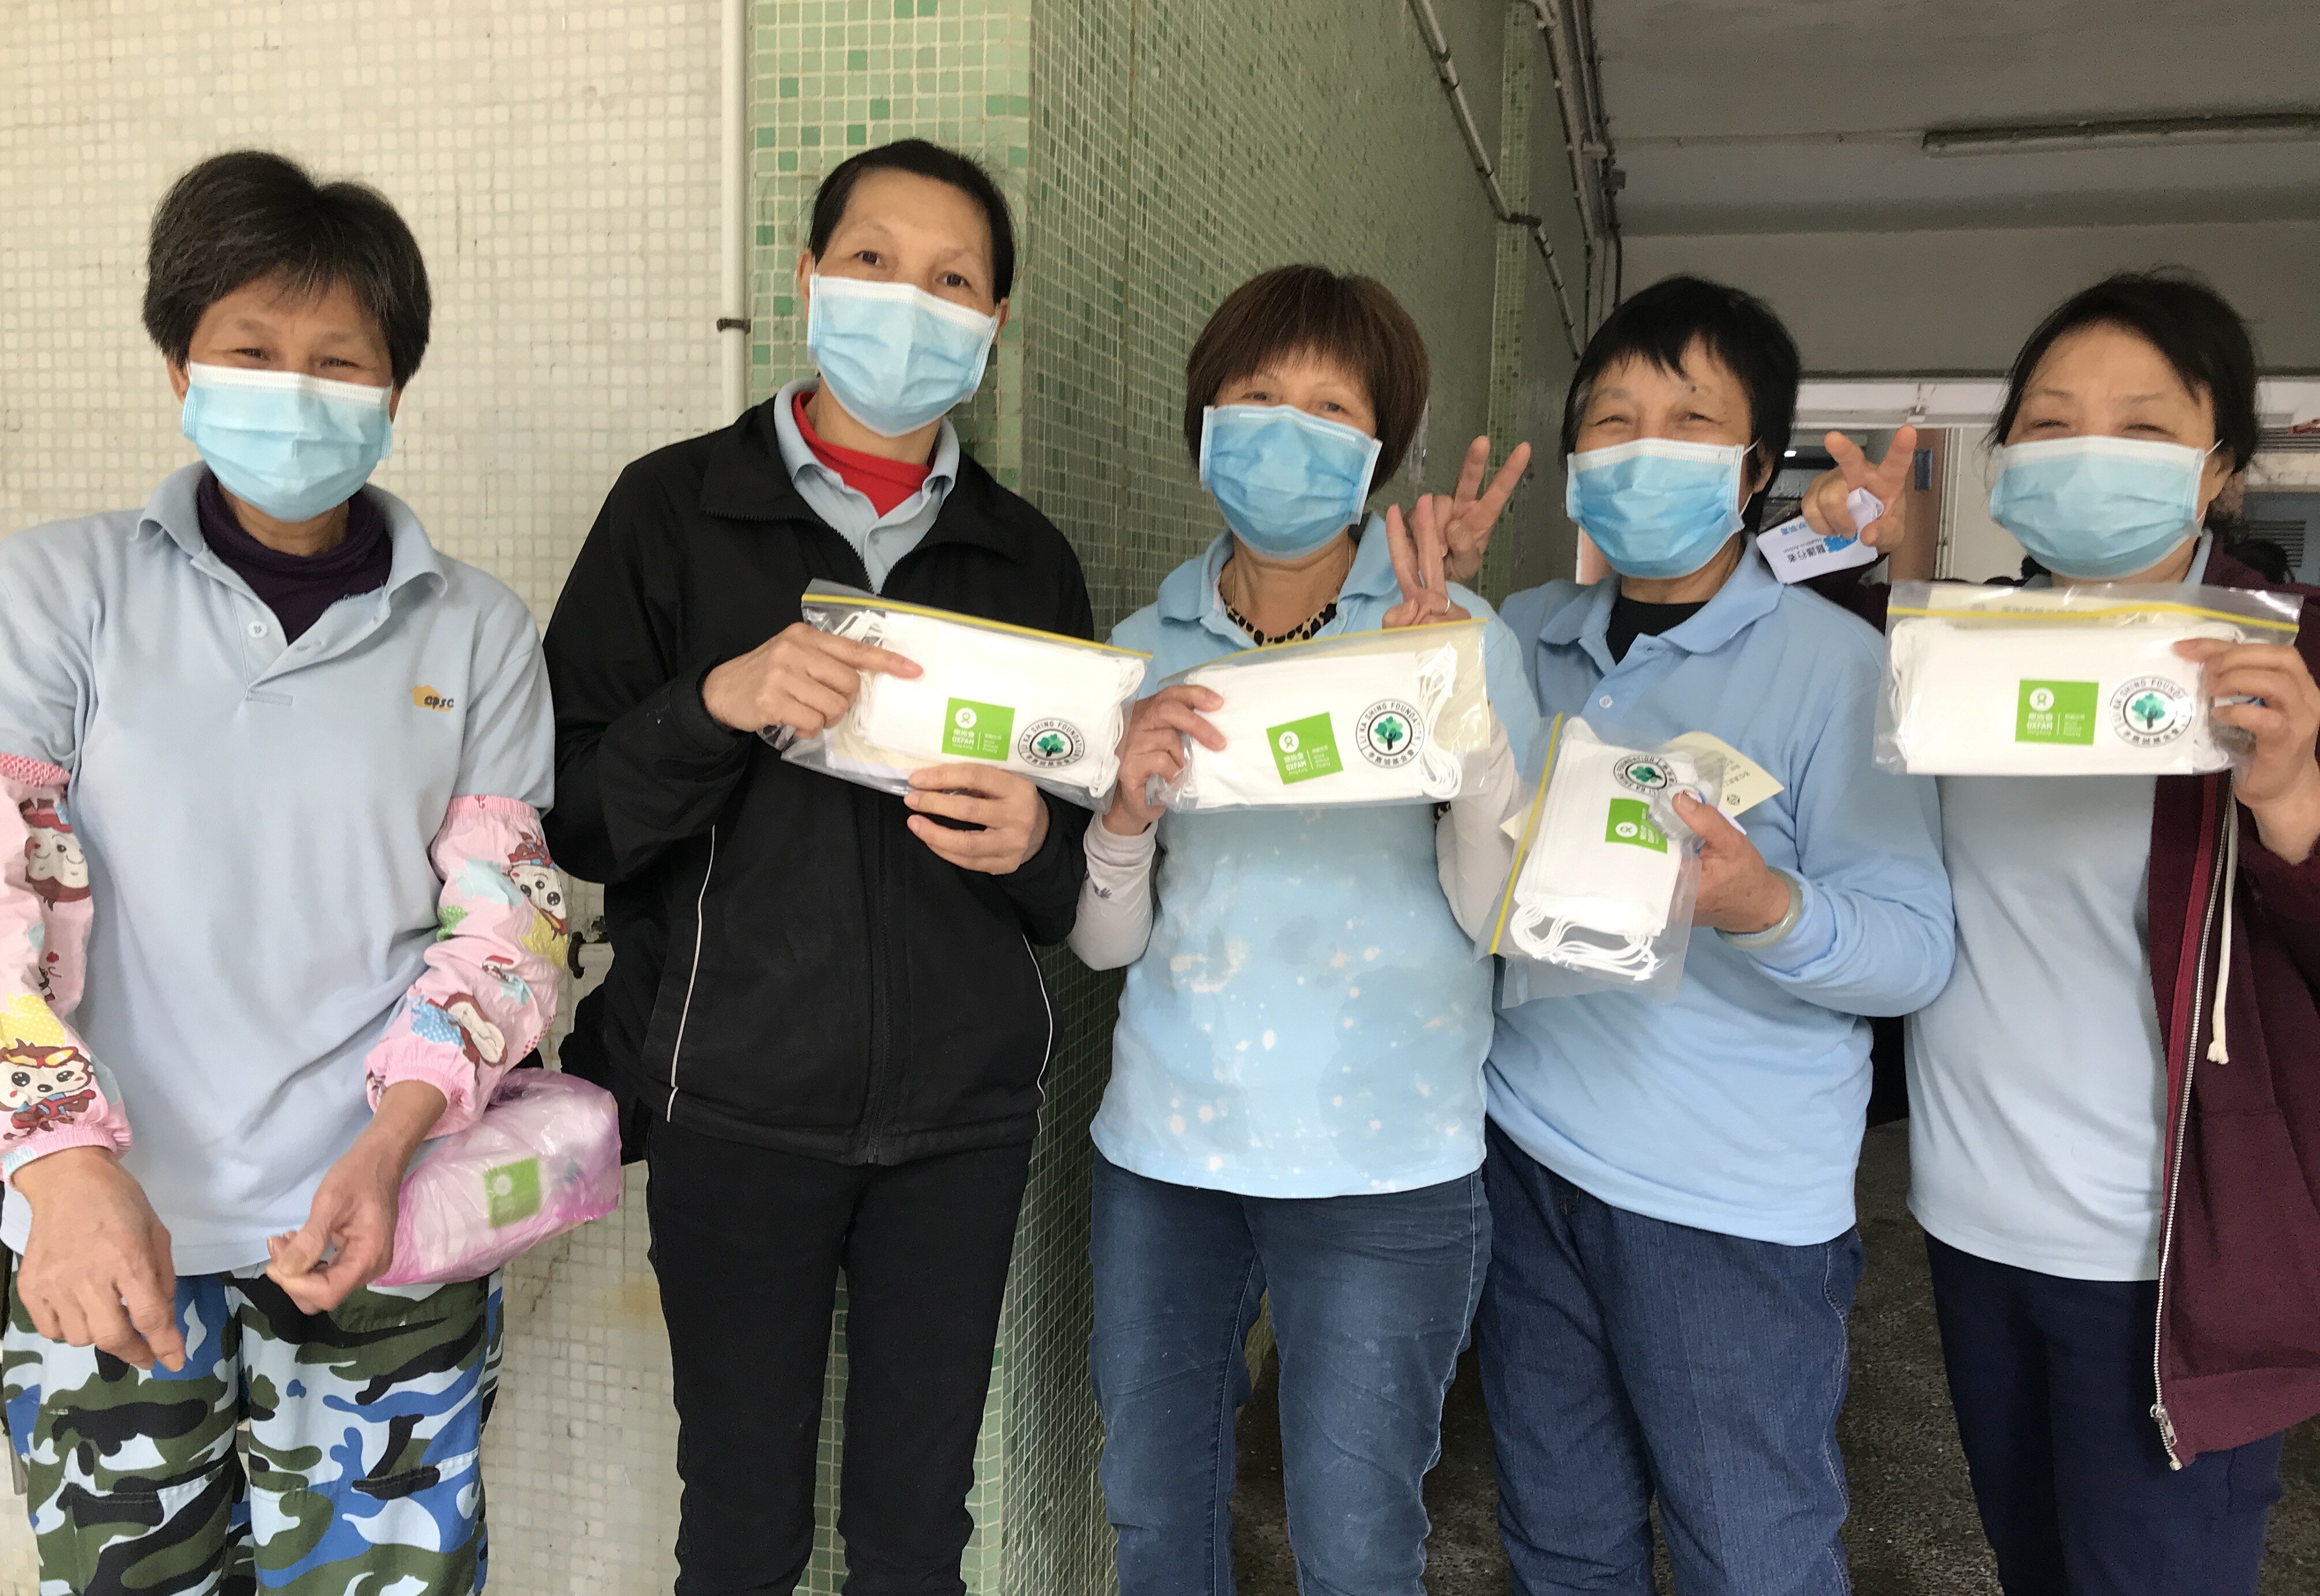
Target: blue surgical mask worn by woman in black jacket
894,356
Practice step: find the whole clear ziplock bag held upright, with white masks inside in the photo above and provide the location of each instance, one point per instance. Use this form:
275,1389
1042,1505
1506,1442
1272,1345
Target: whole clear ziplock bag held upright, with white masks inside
1604,873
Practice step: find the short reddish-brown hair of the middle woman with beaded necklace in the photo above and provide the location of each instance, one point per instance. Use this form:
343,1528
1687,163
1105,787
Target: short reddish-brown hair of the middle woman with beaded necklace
1354,321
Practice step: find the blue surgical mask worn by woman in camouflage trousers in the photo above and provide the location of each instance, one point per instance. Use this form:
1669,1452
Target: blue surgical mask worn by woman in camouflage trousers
291,444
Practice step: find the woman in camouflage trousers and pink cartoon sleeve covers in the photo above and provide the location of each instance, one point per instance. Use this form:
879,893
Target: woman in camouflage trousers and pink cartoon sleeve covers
273,911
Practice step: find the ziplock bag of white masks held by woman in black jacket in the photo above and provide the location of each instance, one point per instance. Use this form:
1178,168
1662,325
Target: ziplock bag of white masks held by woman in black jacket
1045,706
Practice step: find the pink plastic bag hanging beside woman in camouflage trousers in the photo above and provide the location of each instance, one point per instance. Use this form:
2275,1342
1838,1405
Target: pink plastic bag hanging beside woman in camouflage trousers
542,1161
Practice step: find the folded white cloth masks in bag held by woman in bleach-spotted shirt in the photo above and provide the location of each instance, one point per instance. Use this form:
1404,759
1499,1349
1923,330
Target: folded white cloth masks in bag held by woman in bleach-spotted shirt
1337,730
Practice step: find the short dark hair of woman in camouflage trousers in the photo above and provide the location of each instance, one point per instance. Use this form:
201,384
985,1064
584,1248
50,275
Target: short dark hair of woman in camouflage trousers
254,215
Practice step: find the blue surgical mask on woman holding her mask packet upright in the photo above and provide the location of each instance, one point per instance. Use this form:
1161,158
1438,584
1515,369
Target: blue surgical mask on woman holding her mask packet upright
1658,507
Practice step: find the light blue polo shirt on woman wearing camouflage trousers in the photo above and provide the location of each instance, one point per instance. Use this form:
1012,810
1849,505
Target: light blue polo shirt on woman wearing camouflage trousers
256,820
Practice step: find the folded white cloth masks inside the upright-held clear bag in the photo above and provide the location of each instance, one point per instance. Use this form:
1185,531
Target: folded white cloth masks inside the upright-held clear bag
1600,880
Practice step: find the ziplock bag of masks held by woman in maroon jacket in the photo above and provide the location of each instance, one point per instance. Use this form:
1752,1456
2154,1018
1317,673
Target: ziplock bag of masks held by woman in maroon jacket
2061,681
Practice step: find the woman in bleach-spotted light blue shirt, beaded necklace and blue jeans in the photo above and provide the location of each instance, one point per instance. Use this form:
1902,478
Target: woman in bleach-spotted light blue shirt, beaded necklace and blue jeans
1296,1108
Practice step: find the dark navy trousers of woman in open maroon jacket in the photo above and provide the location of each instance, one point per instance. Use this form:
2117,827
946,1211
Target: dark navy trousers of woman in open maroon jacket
2052,1381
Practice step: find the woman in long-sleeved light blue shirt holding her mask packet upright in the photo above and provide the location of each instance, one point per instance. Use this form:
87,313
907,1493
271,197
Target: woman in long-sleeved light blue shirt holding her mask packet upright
1672,1184
